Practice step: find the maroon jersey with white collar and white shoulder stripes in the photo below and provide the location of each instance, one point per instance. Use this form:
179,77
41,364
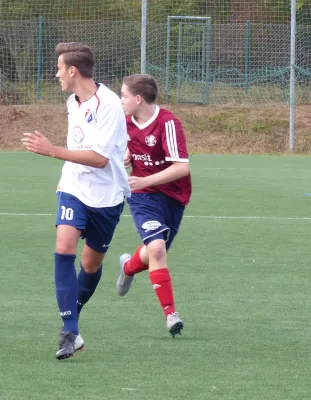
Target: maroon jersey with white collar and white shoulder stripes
154,146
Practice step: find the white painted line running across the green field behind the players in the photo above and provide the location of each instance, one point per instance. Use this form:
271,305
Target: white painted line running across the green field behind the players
251,217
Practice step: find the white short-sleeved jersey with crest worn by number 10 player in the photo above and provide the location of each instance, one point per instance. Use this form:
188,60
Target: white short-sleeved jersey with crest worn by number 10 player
97,124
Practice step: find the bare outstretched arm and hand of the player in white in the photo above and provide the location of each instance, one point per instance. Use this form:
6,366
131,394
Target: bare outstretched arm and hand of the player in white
39,144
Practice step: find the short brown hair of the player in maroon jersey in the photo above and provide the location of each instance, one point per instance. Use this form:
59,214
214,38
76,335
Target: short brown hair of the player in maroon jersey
142,85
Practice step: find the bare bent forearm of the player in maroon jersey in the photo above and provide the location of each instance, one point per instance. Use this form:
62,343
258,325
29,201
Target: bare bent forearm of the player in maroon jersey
176,171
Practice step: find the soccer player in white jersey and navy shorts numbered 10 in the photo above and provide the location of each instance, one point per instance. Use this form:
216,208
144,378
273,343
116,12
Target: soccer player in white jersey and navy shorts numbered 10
92,187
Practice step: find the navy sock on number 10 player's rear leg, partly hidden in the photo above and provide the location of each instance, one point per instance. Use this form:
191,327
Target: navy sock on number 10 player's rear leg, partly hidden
87,284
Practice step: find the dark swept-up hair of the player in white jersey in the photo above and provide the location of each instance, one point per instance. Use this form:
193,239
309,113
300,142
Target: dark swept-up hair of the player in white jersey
77,55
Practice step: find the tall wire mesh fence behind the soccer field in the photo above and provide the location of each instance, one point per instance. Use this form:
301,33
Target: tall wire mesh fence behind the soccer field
239,55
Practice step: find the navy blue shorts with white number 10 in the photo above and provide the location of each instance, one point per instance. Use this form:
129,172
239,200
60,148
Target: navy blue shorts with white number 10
97,224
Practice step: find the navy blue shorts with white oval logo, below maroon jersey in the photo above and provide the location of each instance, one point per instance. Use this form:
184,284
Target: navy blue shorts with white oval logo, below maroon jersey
156,216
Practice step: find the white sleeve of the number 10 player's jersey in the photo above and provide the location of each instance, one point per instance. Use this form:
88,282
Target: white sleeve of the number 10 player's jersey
107,128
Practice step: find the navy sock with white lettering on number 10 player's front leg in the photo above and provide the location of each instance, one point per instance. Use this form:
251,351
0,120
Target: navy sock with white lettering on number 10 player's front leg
66,285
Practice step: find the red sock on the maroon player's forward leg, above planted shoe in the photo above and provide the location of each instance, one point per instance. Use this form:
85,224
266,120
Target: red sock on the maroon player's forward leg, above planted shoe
162,284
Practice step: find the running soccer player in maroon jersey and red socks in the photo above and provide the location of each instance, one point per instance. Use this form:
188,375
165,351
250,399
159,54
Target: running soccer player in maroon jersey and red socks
161,188
